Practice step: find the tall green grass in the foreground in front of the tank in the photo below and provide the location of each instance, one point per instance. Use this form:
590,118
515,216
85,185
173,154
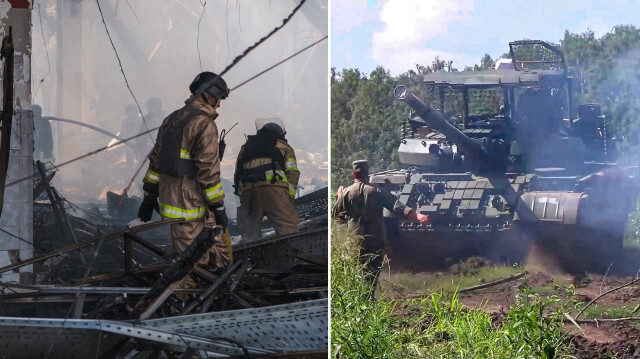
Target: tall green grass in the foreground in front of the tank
435,326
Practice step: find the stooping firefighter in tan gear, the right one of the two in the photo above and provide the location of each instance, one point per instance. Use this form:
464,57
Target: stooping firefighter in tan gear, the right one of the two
266,179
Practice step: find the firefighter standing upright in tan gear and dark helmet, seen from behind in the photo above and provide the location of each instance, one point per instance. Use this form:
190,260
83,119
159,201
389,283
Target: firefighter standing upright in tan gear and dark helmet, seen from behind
183,179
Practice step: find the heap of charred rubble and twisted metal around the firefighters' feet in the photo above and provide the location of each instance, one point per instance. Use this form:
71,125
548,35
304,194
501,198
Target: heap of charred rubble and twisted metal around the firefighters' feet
271,301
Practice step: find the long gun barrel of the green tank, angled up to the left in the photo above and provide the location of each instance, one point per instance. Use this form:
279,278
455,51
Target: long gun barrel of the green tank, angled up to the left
435,120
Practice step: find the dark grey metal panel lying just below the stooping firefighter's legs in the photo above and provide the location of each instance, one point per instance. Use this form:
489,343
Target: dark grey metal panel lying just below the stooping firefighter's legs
278,253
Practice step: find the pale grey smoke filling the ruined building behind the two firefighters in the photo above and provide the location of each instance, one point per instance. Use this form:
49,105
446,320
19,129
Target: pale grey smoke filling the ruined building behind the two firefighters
161,52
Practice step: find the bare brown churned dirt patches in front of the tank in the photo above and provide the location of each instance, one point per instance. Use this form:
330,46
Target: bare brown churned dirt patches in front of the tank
545,271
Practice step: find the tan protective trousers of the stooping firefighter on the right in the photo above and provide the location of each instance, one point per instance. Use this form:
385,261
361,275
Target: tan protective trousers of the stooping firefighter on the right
271,201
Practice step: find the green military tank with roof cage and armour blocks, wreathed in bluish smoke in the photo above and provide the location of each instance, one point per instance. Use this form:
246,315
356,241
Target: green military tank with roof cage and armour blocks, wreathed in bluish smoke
512,168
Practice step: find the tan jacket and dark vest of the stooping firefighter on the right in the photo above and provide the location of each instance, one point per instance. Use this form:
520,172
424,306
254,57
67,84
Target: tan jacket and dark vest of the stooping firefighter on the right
266,161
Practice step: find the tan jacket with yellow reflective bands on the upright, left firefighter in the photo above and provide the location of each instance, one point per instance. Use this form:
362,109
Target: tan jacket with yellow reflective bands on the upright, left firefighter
184,165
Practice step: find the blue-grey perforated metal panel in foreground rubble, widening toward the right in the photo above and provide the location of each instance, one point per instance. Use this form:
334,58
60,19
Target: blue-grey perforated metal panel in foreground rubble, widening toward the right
299,326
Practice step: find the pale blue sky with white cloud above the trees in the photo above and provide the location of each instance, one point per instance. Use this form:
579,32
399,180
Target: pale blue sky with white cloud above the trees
397,34
